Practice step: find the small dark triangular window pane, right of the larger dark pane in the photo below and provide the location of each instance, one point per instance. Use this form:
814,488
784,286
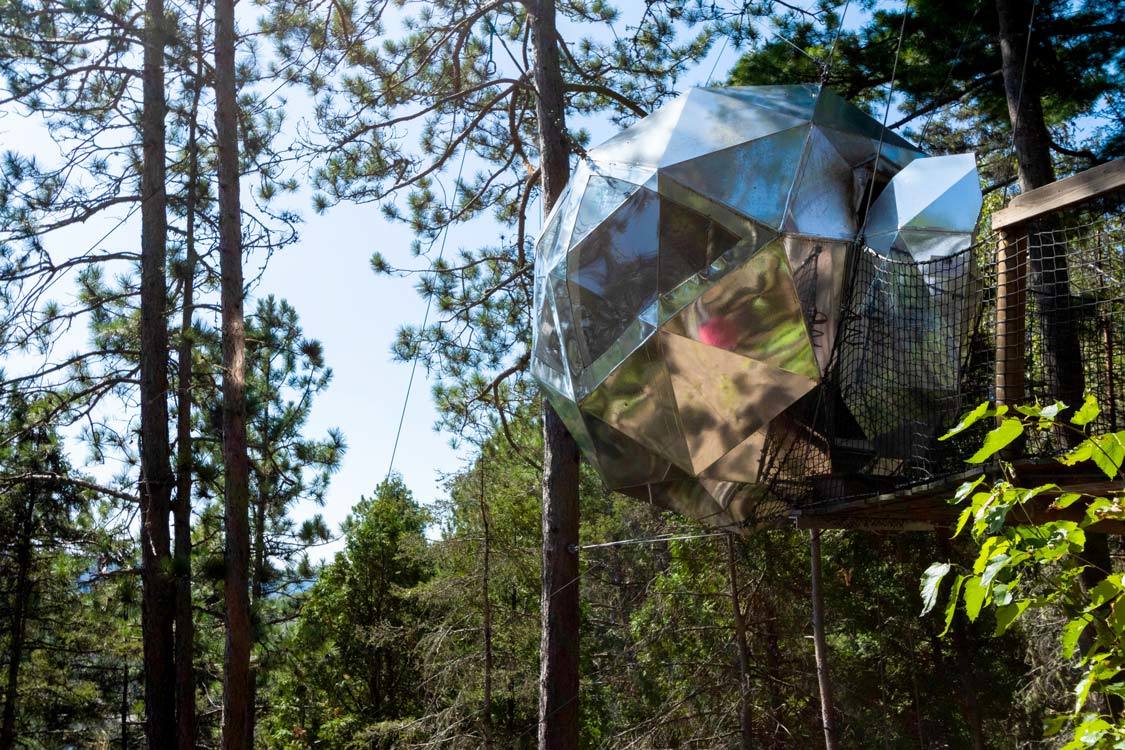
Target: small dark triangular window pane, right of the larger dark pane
690,242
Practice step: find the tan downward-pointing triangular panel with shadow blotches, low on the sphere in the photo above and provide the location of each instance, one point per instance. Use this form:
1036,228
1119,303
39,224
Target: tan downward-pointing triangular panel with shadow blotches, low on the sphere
724,397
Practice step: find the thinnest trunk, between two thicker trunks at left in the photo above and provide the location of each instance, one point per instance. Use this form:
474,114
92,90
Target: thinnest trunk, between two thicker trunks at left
182,514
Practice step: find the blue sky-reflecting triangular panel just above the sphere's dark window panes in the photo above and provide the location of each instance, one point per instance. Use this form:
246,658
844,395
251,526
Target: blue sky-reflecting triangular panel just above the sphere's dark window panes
753,179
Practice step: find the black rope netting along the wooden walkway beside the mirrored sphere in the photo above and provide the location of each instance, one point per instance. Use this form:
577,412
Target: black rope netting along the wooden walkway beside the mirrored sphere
916,347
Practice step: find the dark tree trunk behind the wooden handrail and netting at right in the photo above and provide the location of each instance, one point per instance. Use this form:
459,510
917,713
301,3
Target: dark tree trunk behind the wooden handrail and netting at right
1050,275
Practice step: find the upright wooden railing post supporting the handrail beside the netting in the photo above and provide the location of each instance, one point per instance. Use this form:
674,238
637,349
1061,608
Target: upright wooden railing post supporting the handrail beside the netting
1011,315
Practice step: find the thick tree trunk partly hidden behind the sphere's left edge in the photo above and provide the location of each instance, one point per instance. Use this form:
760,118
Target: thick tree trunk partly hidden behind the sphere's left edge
559,652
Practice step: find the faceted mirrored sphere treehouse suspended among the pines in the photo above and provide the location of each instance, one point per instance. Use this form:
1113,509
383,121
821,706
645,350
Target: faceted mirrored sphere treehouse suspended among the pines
690,282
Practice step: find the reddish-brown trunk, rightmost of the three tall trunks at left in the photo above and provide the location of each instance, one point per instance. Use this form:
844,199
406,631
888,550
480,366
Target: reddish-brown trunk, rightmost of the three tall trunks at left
237,706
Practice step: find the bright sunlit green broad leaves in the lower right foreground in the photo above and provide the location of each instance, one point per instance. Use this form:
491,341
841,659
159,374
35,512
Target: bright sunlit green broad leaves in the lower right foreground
1027,564
